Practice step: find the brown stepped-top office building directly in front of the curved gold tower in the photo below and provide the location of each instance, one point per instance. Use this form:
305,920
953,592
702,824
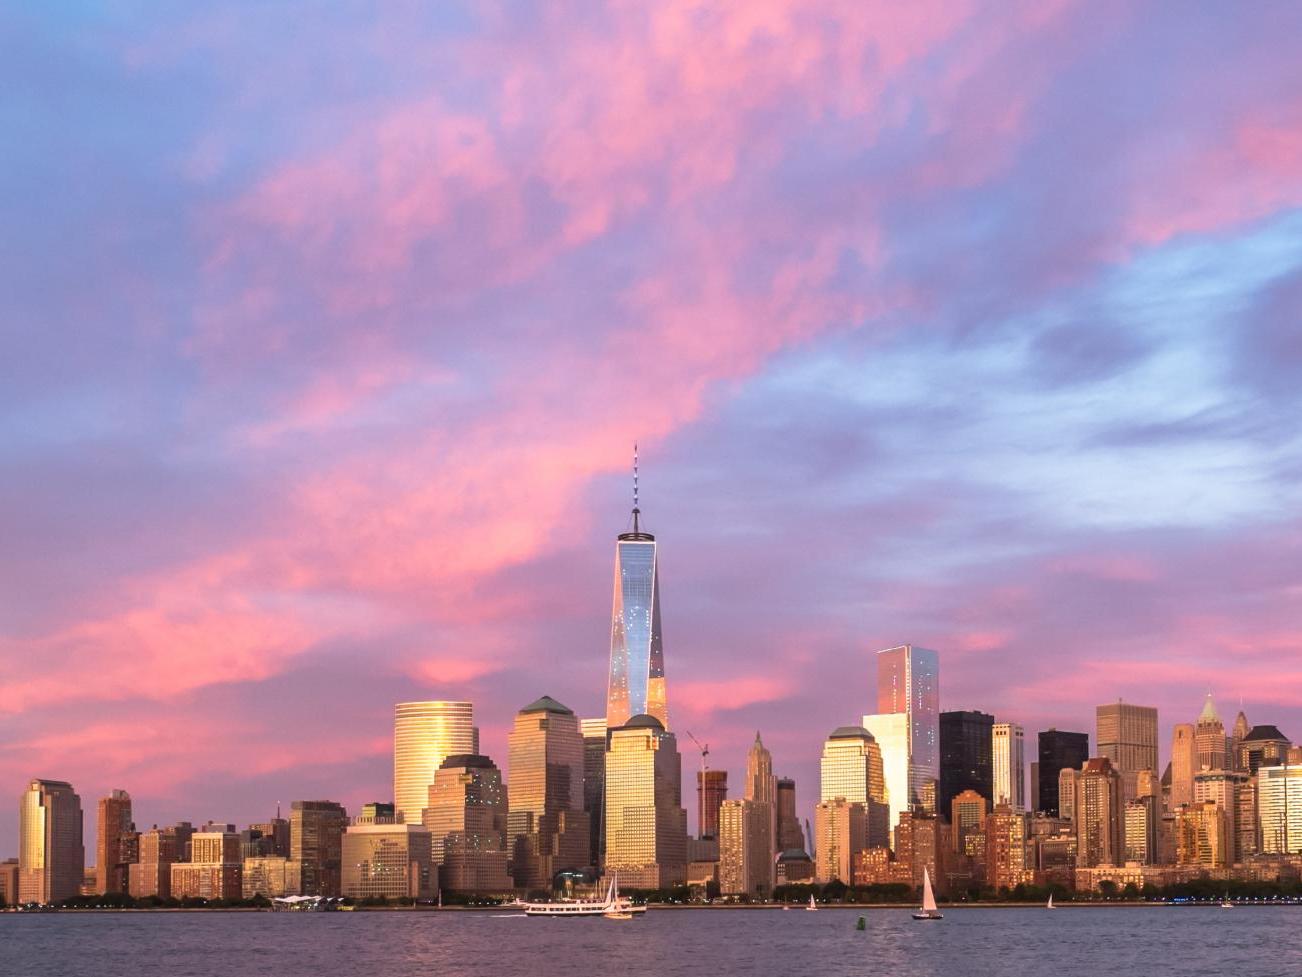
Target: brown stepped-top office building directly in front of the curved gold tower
467,817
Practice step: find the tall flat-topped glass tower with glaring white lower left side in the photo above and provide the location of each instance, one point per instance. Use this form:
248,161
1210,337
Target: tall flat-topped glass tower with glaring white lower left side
907,726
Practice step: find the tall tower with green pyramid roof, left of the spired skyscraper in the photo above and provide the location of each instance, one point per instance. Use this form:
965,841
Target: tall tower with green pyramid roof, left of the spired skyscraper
547,827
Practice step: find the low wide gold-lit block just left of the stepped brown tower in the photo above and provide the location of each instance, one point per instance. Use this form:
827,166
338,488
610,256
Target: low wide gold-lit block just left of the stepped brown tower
390,860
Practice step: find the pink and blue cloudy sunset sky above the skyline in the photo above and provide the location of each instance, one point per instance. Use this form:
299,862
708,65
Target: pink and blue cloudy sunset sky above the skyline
327,334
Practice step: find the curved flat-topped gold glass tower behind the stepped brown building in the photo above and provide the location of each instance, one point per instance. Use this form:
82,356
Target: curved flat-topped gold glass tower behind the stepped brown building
425,734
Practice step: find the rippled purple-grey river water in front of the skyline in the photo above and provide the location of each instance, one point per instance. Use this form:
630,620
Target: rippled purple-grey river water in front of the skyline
1088,942
